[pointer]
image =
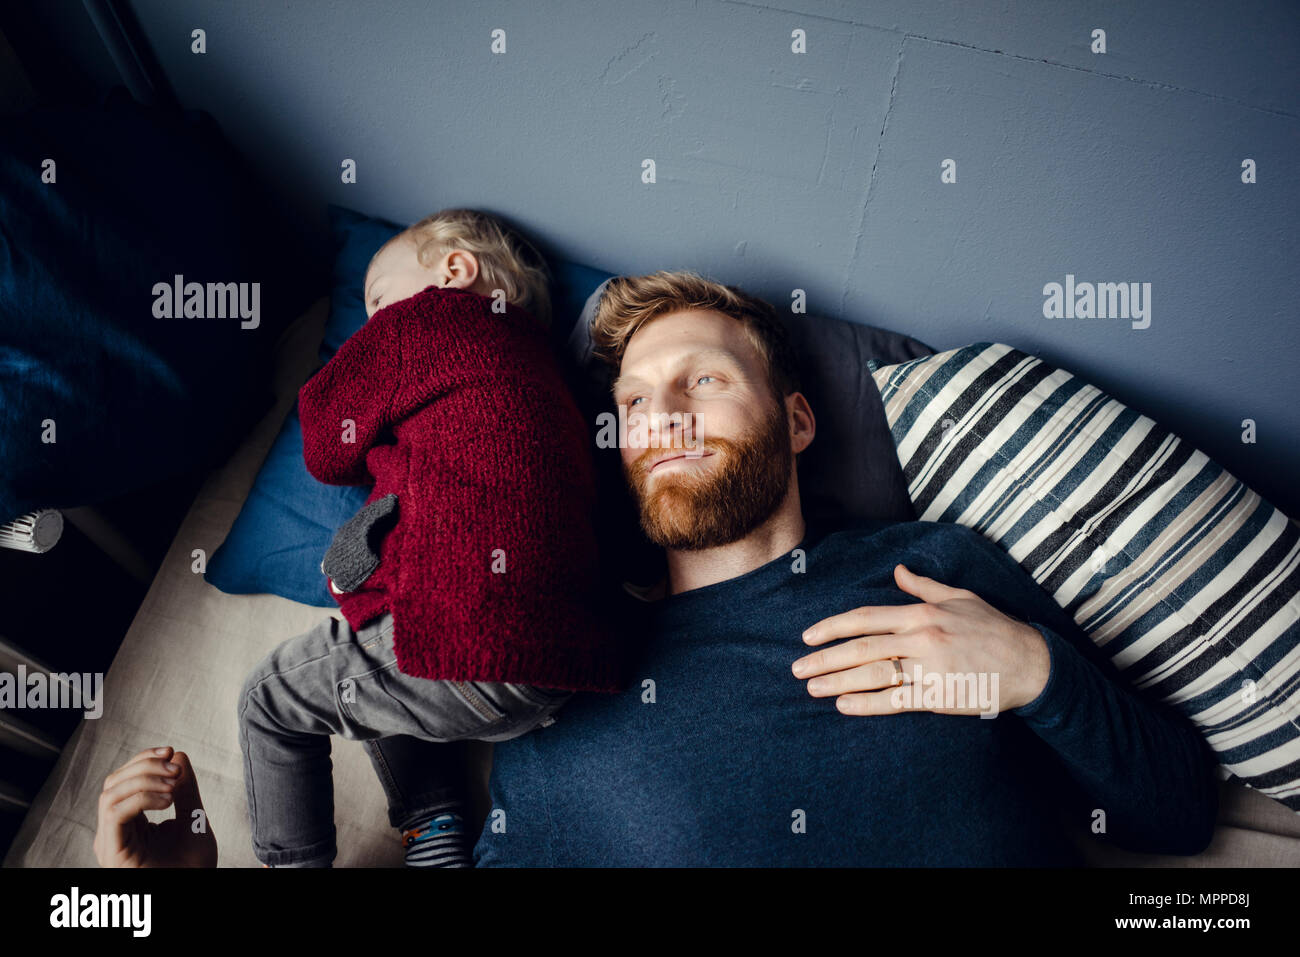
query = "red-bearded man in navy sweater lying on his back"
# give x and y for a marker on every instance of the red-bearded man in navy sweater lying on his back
(726, 750)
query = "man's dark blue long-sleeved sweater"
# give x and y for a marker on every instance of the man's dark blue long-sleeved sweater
(718, 756)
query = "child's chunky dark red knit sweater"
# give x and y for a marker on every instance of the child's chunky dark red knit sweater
(491, 573)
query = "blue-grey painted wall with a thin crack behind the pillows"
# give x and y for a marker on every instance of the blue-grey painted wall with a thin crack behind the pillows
(822, 171)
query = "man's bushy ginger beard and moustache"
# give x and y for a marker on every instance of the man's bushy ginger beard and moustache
(725, 503)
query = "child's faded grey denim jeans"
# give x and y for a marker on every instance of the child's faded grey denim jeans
(335, 681)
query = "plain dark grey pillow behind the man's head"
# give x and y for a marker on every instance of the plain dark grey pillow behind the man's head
(851, 473)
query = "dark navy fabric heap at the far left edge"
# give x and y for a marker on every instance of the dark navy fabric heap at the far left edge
(99, 395)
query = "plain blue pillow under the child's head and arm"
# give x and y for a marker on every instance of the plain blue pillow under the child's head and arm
(289, 519)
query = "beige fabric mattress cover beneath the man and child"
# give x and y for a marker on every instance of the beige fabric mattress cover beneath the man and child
(184, 660)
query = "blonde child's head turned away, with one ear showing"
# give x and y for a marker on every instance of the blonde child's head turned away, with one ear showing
(460, 249)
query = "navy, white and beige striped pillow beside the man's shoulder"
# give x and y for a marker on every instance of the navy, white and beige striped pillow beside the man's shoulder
(1188, 579)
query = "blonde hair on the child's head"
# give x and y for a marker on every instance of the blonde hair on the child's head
(506, 259)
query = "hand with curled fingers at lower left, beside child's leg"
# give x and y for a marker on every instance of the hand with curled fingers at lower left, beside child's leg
(127, 839)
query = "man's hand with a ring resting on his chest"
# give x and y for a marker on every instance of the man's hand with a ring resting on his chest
(951, 633)
